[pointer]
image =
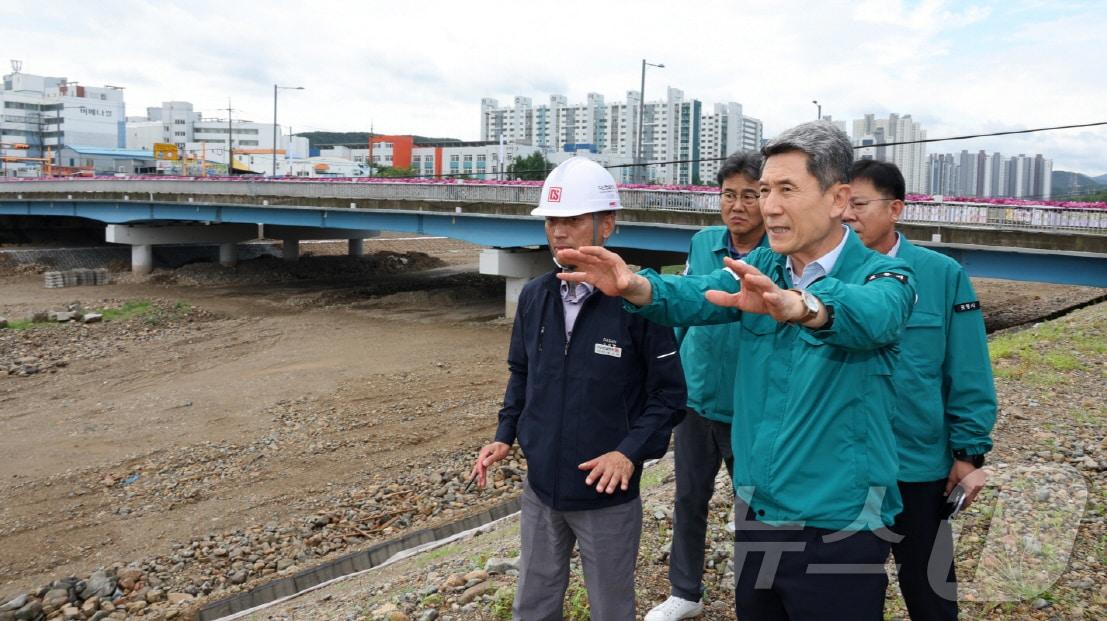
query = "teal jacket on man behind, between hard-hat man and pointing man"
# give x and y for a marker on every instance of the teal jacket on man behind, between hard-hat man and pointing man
(709, 354)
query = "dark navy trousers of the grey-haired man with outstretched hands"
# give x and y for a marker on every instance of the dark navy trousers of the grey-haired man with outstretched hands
(791, 574)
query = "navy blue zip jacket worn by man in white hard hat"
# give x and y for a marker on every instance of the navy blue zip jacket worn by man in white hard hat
(617, 386)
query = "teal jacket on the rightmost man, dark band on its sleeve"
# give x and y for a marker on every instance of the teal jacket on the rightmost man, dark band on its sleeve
(947, 397)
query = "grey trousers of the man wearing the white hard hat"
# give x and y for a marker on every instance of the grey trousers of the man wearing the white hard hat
(608, 540)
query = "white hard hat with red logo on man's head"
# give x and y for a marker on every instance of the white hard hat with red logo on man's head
(578, 187)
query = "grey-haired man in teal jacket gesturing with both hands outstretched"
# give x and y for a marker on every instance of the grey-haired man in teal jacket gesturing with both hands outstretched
(821, 316)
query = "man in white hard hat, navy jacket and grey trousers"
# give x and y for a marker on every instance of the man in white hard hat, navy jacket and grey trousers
(594, 392)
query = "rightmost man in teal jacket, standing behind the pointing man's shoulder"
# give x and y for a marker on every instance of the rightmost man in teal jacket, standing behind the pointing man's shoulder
(947, 397)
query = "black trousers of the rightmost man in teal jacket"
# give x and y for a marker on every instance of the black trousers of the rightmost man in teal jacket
(925, 555)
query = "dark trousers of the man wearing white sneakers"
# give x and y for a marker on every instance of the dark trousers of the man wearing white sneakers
(702, 446)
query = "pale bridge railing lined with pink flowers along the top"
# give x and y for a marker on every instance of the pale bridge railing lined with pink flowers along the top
(924, 213)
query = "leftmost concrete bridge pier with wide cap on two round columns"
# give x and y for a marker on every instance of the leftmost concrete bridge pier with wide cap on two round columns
(142, 240)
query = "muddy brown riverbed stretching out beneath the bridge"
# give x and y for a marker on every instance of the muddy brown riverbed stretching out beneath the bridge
(264, 397)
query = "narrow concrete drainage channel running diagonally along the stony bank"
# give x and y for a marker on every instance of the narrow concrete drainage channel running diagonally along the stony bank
(353, 564)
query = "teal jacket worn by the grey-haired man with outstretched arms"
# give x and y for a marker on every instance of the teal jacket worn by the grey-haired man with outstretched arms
(813, 413)
